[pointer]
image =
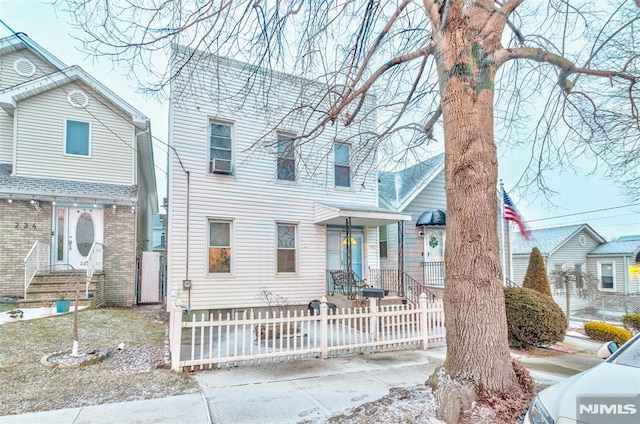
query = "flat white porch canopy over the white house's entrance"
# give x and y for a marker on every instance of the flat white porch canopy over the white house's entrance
(361, 216)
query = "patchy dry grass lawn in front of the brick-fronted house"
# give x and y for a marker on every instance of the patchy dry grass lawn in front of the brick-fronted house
(130, 374)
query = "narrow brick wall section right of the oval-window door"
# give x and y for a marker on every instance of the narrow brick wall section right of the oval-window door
(119, 257)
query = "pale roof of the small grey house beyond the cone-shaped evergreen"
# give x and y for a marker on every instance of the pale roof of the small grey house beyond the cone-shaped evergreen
(548, 240)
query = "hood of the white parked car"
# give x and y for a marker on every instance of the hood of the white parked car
(605, 379)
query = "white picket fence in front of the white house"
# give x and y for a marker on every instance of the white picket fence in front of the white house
(207, 342)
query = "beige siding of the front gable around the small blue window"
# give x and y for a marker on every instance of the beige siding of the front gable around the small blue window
(40, 143)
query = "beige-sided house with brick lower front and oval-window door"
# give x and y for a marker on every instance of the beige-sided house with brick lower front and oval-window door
(76, 175)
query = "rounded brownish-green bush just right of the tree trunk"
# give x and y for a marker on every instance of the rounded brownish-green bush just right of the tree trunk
(533, 319)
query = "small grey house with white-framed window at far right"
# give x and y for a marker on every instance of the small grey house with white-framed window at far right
(579, 247)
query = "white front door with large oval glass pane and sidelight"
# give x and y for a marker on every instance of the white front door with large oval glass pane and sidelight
(75, 231)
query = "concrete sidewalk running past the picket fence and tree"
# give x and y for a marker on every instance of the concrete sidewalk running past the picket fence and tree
(290, 392)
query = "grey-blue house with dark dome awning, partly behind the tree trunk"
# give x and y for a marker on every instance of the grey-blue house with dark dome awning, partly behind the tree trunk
(419, 191)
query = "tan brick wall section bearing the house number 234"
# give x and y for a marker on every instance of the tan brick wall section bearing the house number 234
(16, 241)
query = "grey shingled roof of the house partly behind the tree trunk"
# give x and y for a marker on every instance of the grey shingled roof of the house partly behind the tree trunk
(398, 189)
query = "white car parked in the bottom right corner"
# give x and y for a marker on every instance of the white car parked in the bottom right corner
(608, 393)
